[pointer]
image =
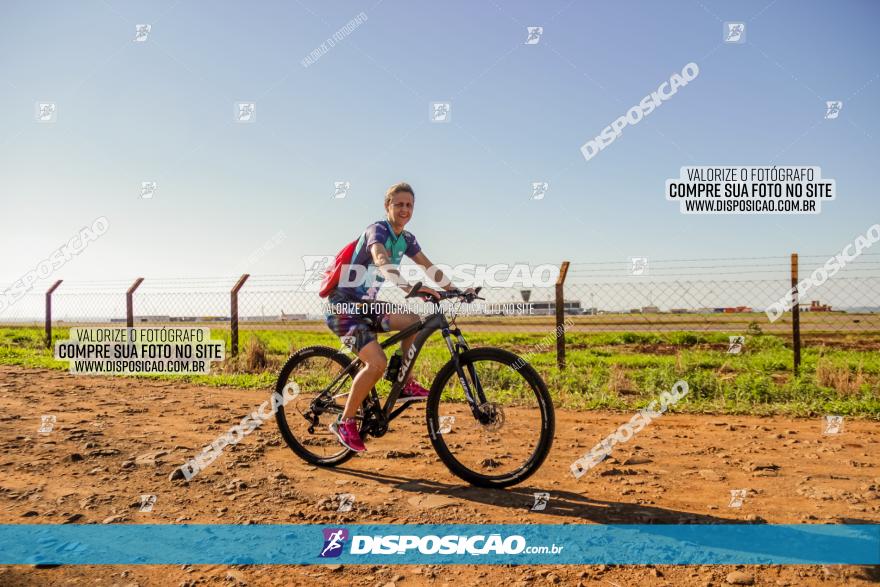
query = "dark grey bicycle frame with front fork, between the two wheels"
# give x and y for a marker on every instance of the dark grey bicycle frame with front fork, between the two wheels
(376, 416)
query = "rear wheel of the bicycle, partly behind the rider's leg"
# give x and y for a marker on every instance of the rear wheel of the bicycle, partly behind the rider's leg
(306, 432)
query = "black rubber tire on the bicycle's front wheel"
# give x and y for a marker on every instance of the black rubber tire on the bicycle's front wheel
(547, 414)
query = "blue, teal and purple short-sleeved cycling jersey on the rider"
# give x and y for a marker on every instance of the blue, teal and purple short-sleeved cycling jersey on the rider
(367, 289)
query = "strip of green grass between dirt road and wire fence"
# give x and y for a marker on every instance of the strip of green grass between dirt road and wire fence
(621, 371)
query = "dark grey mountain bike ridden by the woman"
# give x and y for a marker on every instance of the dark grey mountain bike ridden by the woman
(489, 415)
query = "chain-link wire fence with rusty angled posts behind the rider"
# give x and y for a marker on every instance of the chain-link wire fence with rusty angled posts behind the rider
(637, 295)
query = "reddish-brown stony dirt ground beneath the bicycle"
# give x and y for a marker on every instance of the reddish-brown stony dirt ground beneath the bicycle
(118, 438)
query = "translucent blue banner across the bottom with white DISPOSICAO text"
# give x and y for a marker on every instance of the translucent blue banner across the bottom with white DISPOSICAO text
(523, 544)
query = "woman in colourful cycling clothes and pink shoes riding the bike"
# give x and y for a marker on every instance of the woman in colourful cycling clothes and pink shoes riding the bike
(356, 317)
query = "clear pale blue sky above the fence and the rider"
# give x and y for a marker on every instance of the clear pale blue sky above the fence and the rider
(162, 111)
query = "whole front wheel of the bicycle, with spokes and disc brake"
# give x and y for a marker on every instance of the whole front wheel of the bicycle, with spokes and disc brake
(505, 438)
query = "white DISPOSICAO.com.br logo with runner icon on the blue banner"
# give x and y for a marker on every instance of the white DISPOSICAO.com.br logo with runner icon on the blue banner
(455, 544)
